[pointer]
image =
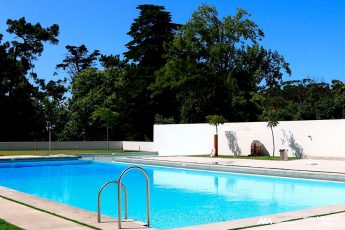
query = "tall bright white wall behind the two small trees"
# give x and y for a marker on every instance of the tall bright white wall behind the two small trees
(320, 138)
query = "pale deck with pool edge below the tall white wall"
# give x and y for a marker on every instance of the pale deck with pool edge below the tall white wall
(297, 168)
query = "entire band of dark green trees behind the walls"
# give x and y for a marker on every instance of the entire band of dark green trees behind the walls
(170, 73)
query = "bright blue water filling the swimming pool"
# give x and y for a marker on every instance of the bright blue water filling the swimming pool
(178, 197)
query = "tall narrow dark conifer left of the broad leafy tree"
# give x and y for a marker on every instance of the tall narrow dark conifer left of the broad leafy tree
(151, 33)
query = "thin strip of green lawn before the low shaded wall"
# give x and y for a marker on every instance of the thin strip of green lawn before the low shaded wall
(54, 152)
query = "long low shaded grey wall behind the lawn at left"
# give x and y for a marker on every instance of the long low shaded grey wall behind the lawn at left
(60, 145)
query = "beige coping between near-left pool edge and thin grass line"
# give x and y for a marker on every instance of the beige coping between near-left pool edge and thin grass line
(73, 214)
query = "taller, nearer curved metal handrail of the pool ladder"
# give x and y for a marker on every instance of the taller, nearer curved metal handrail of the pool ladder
(147, 194)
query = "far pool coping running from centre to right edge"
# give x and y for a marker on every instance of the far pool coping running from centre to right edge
(279, 172)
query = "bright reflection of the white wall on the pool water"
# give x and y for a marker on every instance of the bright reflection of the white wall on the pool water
(249, 187)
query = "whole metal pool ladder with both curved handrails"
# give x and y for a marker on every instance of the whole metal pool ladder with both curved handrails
(120, 187)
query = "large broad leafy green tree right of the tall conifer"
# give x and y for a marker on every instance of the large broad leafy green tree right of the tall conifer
(214, 64)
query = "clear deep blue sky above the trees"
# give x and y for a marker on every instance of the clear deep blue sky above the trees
(310, 34)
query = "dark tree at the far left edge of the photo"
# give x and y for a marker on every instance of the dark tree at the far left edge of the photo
(22, 114)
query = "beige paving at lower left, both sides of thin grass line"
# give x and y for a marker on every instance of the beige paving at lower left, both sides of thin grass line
(29, 218)
